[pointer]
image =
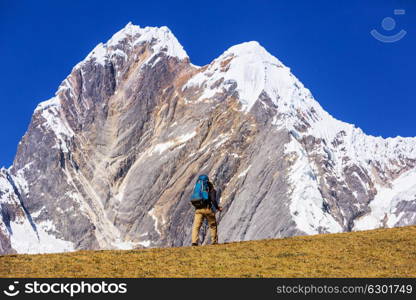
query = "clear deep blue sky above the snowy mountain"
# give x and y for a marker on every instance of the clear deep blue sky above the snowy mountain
(327, 44)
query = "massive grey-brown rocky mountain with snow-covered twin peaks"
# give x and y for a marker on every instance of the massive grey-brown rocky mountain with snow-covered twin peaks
(110, 161)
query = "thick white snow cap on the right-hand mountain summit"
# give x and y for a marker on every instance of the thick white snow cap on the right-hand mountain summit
(254, 71)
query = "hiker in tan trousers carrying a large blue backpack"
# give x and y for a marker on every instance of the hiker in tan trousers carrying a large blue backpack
(204, 200)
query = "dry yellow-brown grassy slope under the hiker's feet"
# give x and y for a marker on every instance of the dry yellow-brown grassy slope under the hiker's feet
(375, 253)
